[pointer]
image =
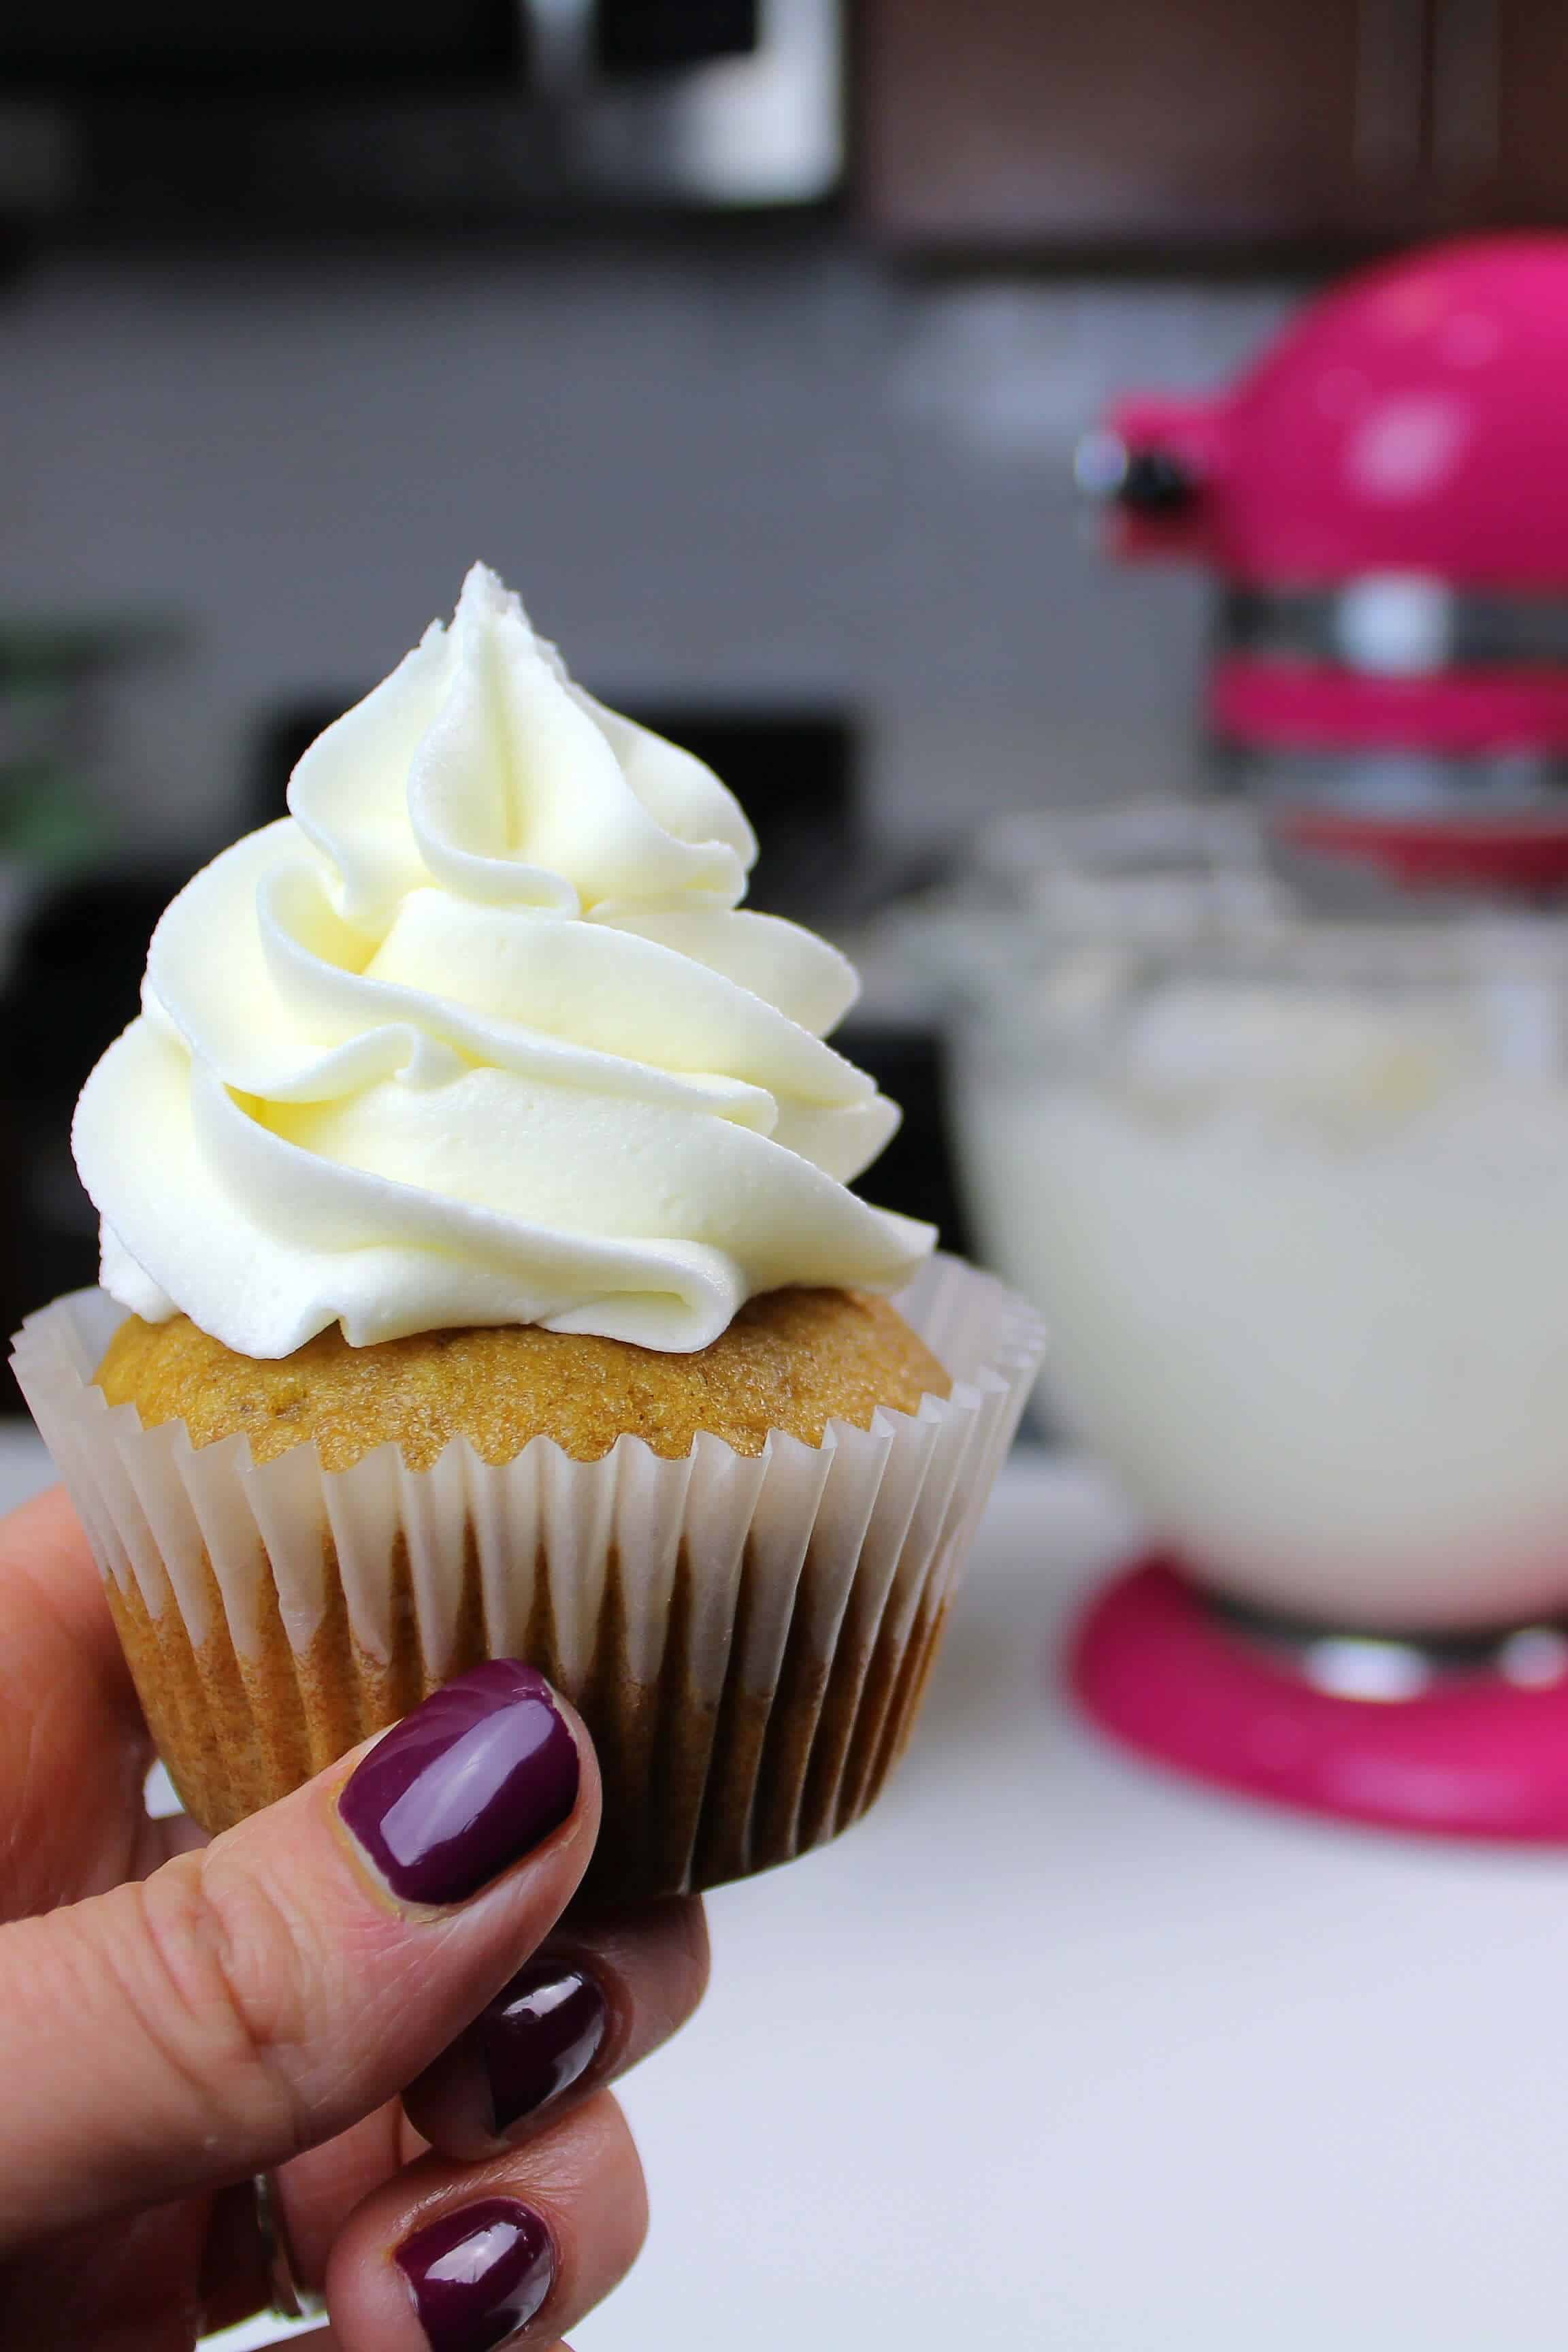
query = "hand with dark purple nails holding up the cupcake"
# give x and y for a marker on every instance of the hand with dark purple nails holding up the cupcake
(180, 2017)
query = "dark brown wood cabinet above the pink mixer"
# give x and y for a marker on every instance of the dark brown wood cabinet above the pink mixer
(1207, 123)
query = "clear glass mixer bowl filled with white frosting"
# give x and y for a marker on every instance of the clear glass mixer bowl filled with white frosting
(1306, 1269)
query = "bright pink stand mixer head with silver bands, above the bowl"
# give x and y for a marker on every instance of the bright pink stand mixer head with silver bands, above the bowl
(1383, 502)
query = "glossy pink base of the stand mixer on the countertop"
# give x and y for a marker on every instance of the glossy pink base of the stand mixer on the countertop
(1470, 1758)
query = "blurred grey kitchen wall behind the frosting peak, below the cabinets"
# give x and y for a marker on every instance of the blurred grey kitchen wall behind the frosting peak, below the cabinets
(716, 474)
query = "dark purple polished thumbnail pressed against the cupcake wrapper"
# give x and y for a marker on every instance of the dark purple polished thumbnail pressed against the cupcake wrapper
(464, 1786)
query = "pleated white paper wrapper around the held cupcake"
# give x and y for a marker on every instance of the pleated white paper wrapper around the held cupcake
(746, 1636)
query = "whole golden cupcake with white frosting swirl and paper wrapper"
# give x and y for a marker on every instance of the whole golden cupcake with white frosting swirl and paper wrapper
(483, 1278)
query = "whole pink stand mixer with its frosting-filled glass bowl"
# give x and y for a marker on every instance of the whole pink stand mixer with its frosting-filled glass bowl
(1306, 1269)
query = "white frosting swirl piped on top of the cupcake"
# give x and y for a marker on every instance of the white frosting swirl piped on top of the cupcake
(481, 1036)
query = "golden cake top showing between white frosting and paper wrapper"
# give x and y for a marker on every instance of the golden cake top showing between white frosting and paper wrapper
(791, 1361)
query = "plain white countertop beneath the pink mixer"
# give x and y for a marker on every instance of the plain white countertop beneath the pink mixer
(1054, 2052)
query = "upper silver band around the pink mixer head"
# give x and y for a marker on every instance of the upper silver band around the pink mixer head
(1395, 624)
